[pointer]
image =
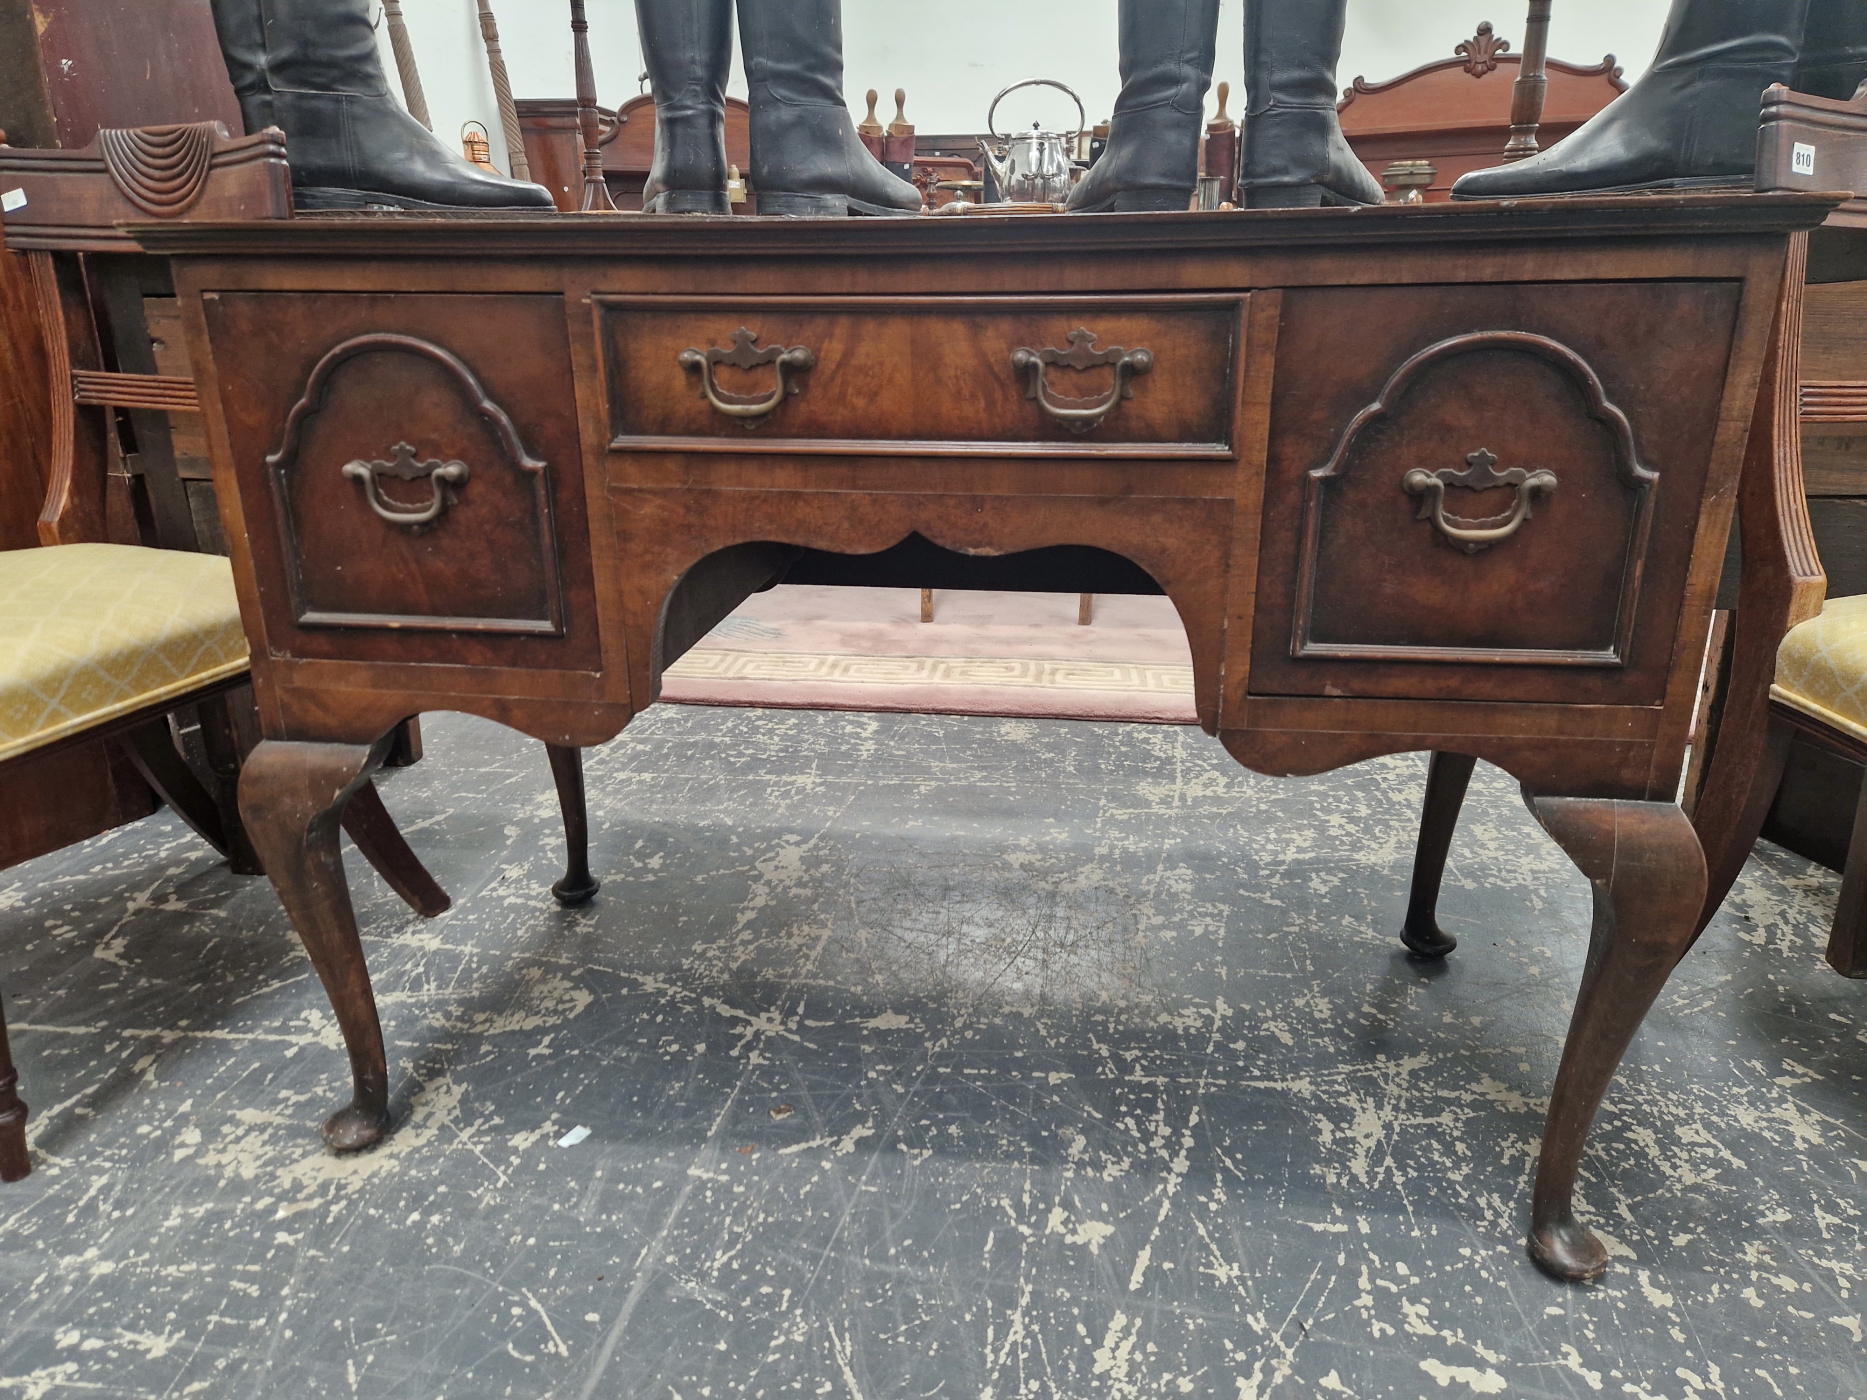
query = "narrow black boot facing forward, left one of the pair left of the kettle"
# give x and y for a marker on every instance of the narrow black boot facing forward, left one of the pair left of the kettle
(688, 53)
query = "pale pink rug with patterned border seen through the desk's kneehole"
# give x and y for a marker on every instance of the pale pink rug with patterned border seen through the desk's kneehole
(985, 654)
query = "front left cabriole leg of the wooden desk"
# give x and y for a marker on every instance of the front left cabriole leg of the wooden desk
(292, 798)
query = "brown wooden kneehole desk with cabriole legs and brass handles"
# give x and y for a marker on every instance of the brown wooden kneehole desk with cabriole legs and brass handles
(1416, 479)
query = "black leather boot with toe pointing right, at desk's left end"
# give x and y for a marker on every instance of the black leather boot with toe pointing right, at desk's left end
(311, 68)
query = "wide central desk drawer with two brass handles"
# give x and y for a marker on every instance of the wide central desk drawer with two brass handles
(1011, 376)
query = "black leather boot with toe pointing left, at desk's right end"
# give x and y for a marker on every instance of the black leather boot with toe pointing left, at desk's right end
(1689, 120)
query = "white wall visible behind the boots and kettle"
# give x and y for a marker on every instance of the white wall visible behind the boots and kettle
(955, 55)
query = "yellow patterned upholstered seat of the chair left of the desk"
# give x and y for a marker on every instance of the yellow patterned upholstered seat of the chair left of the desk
(96, 632)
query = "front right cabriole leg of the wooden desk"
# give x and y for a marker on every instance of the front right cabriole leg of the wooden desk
(1649, 880)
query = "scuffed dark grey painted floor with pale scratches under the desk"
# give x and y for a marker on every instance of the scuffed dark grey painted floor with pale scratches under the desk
(921, 1057)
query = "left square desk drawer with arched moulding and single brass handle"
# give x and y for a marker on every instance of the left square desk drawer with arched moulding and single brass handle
(410, 475)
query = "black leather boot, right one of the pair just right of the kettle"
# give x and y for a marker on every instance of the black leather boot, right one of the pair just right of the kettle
(1295, 148)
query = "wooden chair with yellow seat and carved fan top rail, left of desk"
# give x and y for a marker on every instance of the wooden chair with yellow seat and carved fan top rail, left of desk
(133, 641)
